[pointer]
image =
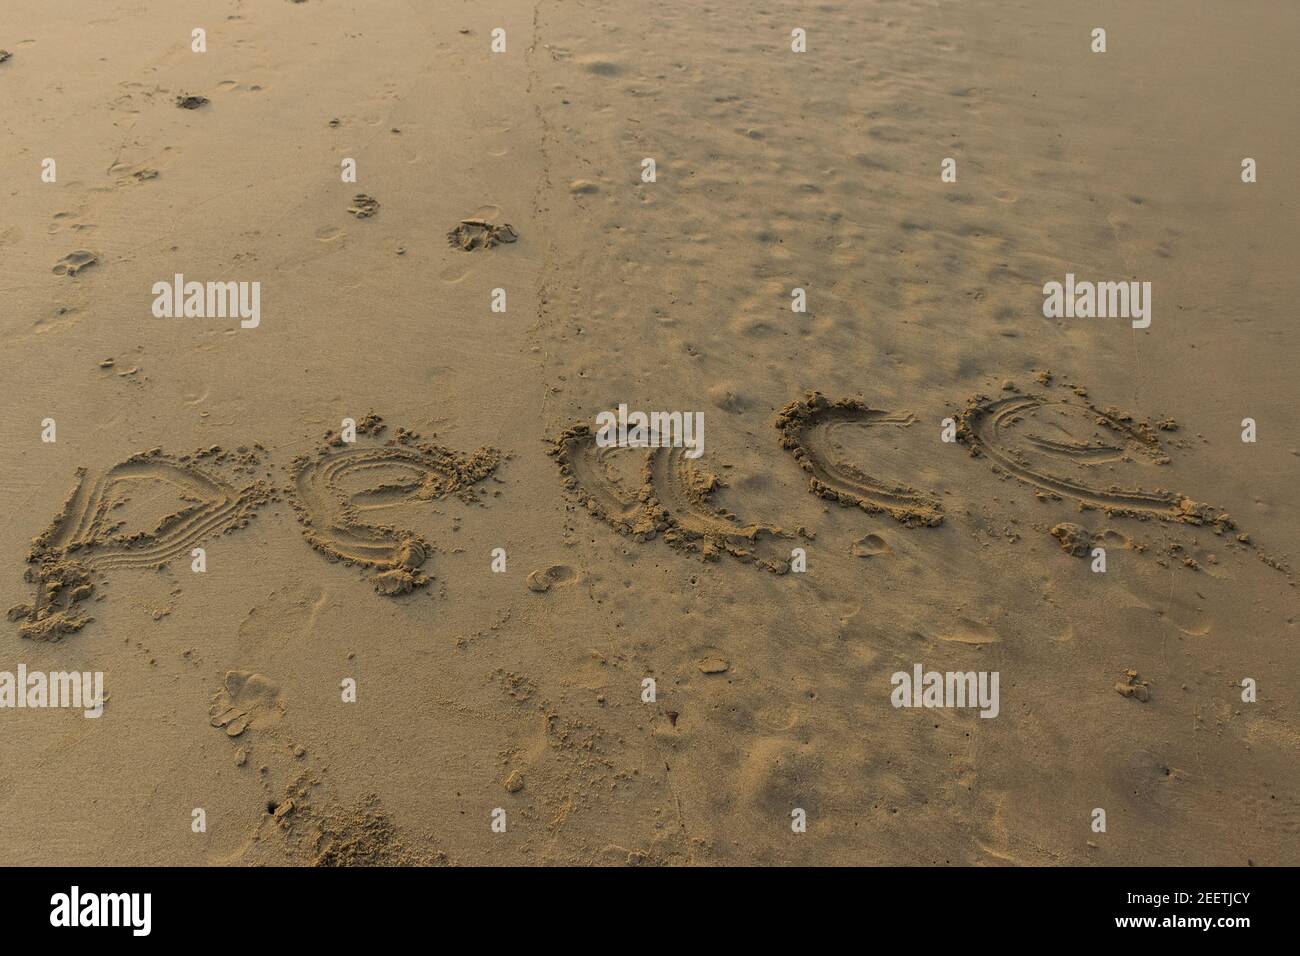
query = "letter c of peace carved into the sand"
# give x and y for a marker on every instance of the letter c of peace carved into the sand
(808, 432)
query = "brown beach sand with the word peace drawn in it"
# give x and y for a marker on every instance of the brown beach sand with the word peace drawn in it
(523, 691)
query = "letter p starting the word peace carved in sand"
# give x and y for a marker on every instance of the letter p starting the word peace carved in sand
(183, 503)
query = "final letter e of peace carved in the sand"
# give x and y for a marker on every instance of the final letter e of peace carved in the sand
(1065, 447)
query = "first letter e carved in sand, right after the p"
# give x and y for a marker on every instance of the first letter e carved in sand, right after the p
(335, 488)
